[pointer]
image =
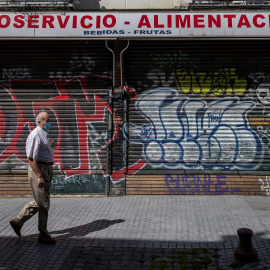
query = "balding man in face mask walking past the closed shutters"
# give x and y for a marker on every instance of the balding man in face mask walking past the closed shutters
(40, 154)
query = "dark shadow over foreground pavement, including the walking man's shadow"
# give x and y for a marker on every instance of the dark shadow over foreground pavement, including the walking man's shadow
(76, 248)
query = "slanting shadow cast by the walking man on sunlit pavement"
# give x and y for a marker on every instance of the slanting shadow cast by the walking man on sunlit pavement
(85, 229)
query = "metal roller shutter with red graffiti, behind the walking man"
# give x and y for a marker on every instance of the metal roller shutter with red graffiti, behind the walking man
(69, 80)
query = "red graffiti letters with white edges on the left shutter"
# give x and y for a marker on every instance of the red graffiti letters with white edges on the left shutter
(64, 99)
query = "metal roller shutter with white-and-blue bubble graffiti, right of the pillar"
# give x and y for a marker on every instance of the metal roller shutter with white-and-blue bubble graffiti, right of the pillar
(198, 117)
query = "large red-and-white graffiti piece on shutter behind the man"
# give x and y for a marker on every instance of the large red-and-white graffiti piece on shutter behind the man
(82, 133)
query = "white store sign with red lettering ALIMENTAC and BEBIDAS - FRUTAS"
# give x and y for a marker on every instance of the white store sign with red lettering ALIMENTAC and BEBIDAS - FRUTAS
(134, 24)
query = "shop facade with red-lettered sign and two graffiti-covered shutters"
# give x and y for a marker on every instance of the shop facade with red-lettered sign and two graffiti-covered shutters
(146, 97)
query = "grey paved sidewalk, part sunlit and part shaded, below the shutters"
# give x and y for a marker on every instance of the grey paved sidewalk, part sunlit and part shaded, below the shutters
(138, 232)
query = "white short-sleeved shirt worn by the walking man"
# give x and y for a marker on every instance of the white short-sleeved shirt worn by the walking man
(38, 146)
